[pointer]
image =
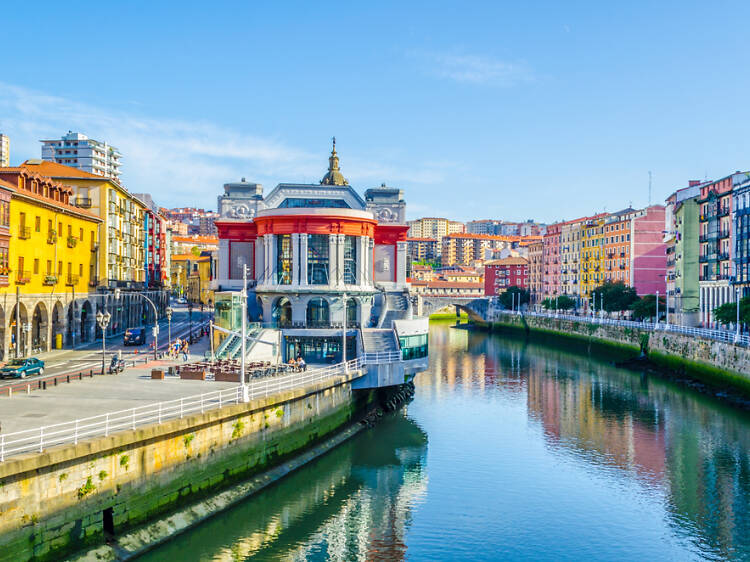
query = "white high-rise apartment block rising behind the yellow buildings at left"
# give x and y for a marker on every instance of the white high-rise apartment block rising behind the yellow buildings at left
(78, 151)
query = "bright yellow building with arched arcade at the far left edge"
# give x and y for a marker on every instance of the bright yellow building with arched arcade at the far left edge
(49, 262)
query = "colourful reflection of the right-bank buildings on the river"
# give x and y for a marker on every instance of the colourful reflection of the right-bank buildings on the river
(691, 449)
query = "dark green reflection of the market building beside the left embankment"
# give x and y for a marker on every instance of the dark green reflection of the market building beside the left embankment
(354, 503)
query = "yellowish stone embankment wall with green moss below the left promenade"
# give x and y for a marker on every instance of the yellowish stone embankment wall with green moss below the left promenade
(59, 501)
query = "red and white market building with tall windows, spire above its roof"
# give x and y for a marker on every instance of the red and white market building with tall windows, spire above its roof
(319, 258)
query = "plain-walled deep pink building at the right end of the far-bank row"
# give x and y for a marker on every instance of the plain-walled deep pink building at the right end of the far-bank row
(648, 251)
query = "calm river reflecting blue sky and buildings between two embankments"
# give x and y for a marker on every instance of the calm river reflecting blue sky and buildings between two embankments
(510, 451)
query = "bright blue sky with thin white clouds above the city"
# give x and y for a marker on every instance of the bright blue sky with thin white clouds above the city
(517, 110)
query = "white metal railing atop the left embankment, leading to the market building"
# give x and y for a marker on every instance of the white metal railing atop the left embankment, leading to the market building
(39, 439)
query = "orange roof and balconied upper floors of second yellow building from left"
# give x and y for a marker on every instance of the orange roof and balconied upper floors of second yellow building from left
(122, 260)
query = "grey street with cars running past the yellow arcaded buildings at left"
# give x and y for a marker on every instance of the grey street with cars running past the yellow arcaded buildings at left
(89, 356)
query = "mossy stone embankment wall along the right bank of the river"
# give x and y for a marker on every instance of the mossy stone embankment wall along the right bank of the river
(712, 362)
